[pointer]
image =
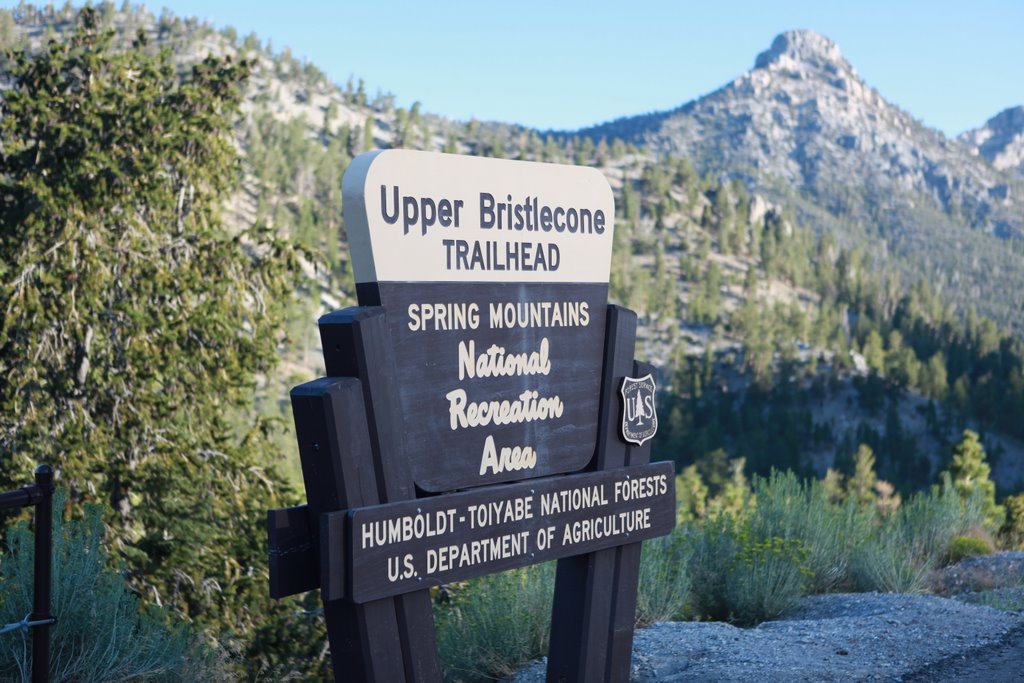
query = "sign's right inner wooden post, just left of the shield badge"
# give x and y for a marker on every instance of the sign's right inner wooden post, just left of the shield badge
(582, 614)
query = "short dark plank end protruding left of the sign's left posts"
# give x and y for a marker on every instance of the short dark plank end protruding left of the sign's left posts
(292, 552)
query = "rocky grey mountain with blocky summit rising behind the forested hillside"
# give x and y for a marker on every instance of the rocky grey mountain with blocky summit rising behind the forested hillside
(804, 129)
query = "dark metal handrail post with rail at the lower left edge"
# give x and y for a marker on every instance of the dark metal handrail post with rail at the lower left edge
(40, 619)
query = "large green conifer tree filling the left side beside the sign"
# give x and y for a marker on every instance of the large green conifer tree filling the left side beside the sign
(133, 326)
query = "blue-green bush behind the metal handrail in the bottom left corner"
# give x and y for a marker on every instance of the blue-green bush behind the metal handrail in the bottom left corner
(101, 635)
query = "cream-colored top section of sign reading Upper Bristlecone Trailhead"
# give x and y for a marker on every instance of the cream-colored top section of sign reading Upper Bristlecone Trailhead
(421, 217)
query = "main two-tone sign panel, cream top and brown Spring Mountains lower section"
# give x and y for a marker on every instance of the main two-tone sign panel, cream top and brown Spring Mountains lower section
(495, 278)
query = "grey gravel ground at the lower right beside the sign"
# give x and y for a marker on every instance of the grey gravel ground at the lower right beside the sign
(842, 637)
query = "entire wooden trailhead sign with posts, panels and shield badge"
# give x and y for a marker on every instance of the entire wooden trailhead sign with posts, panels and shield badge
(482, 412)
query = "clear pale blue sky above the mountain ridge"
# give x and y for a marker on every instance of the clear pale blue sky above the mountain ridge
(566, 65)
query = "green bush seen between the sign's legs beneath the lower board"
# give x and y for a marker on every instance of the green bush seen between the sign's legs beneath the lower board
(495, 624)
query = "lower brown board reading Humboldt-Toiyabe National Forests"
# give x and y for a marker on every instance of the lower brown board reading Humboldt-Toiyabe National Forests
(408, 546)
